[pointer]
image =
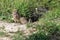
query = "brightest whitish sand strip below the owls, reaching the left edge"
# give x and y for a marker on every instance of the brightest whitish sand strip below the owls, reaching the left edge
(12, 27)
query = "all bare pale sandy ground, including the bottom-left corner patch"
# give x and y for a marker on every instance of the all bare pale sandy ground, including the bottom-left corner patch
(14, 27)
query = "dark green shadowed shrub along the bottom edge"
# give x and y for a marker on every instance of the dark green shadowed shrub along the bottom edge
(38, 36)
